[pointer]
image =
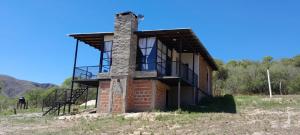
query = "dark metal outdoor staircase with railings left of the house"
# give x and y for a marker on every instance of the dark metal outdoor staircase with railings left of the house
(60, 98)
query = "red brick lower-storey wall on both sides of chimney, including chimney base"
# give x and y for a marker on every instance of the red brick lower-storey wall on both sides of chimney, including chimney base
(141, 95)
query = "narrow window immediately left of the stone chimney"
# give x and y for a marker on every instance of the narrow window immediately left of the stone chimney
(106, 62)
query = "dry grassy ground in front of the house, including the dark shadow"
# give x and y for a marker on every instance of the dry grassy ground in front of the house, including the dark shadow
(220, 115)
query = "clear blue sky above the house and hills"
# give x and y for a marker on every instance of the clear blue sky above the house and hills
(34, 44)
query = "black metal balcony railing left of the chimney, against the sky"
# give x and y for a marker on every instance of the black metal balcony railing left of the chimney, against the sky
(86, 72)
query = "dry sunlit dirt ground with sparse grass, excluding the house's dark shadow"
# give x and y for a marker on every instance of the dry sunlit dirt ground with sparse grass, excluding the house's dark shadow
(254, 116)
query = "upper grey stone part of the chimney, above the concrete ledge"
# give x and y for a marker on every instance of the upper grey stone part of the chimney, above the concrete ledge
(124, 44)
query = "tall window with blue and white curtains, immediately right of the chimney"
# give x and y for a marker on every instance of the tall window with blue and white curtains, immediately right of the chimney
(146, 54)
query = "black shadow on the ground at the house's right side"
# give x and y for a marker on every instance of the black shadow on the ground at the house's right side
(221, 104)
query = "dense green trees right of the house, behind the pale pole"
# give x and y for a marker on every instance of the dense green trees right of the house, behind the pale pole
(249, 77)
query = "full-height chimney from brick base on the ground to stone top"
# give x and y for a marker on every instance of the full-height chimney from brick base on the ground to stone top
(123, 62)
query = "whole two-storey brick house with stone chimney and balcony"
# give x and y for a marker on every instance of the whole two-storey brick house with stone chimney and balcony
(145, 70)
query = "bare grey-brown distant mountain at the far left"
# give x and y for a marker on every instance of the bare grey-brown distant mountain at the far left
(12, 87)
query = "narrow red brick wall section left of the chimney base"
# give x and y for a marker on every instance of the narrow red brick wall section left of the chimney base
(103, 96)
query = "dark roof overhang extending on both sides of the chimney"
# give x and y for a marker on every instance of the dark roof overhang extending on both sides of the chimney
(171, 37)
